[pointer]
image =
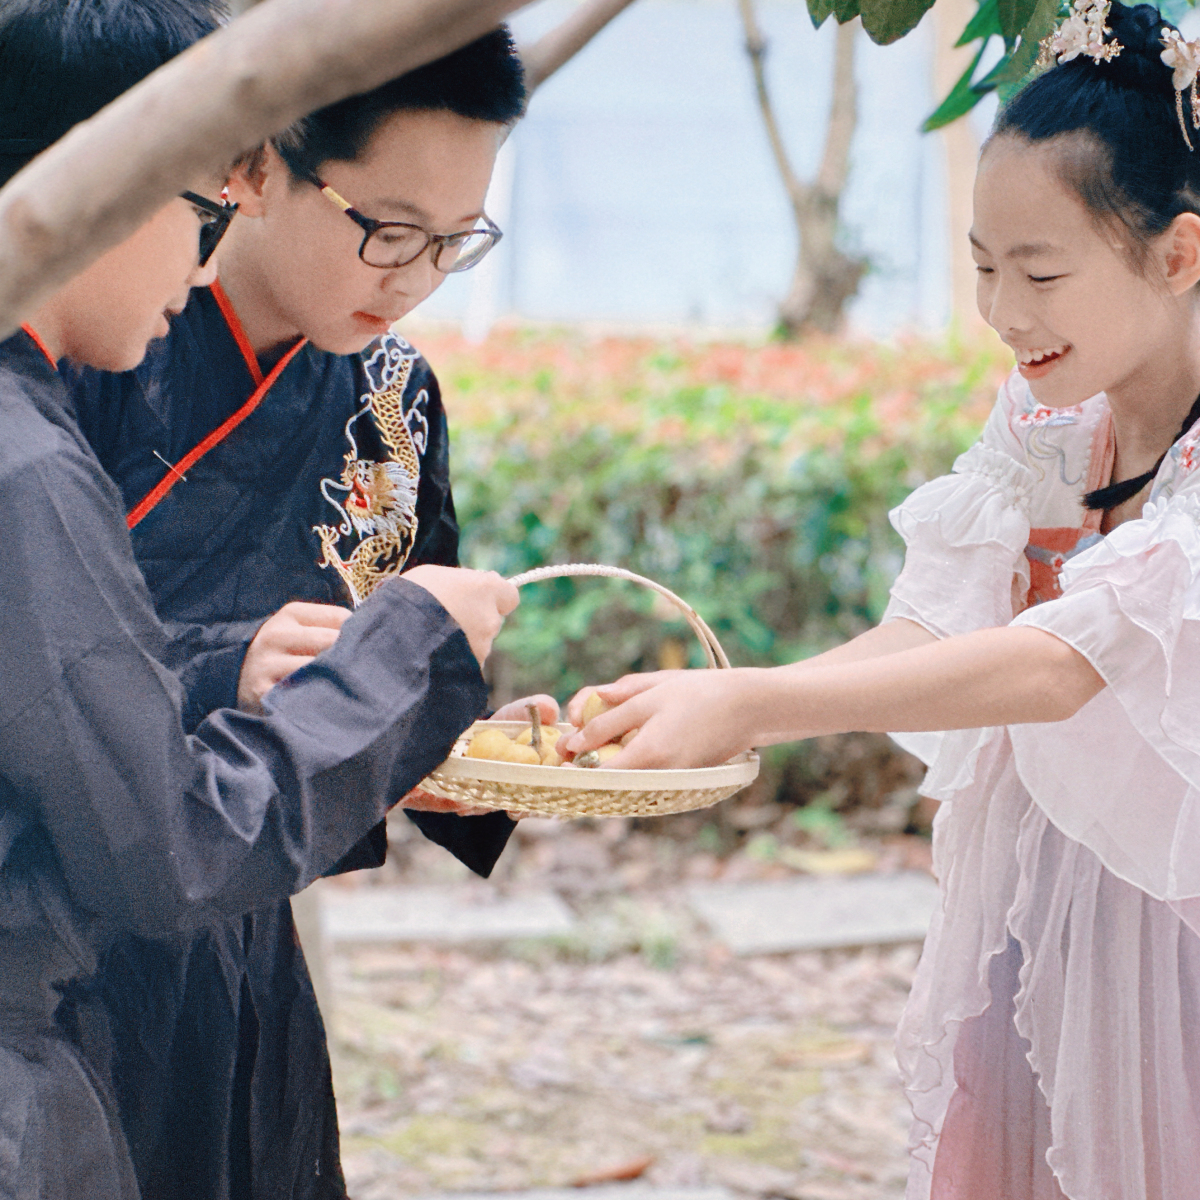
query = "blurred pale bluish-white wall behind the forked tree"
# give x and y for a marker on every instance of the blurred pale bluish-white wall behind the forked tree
(640, 189)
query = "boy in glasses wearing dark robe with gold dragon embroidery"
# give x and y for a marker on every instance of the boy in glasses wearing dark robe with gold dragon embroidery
(259, 467)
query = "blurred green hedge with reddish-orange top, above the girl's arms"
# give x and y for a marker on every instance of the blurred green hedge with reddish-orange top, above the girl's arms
(761, 502)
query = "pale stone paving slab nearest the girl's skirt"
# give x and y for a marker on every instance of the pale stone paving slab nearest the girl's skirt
(818, 914)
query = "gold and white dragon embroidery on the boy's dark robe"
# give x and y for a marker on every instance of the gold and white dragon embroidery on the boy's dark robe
(377, 501)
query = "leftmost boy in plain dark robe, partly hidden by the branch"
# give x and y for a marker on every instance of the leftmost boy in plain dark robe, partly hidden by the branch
(113, 819)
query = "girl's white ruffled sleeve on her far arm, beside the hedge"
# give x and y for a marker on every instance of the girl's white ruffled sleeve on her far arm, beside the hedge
(965, 536)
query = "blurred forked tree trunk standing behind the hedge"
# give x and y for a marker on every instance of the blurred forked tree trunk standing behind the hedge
(825, 278)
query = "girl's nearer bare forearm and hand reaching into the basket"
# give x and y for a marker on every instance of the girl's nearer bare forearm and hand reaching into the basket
(994, 677)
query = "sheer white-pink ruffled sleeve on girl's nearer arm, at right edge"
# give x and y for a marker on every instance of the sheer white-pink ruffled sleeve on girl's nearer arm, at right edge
(1123, 776)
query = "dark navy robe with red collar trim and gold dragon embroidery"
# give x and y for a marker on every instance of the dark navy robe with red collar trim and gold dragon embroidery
(220, 1055)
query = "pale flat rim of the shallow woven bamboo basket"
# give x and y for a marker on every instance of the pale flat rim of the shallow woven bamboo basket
(741, 771)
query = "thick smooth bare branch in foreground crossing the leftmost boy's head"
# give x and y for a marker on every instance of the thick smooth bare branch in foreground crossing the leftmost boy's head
(195, 116)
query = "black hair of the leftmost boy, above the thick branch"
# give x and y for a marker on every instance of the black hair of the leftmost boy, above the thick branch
(64, 61)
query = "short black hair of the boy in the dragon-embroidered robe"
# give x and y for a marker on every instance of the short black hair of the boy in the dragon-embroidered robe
(483, 82)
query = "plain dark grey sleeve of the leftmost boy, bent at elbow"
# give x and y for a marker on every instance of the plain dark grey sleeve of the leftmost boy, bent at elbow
(157, 830)
